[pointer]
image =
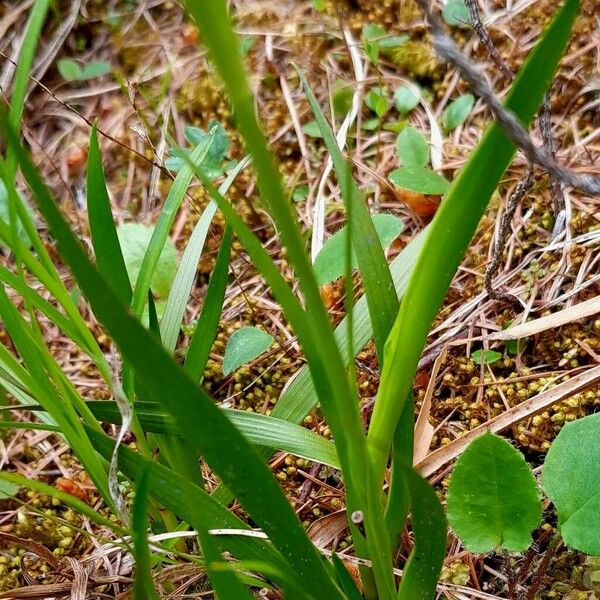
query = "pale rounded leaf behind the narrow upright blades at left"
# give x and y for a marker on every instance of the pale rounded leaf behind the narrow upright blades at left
(134, 239)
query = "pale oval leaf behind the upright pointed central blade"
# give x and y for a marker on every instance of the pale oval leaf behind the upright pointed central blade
(330, 261)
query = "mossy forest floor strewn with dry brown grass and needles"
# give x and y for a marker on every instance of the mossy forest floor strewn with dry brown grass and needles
(159, 82)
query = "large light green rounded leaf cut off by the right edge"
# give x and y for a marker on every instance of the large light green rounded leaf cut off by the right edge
(570, 478)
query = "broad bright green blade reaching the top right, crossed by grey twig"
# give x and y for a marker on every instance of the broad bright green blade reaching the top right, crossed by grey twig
(450, 233)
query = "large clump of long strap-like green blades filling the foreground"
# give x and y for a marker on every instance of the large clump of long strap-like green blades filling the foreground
(170, 412)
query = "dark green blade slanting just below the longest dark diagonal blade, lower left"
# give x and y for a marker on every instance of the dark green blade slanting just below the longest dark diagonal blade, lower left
(175, 492)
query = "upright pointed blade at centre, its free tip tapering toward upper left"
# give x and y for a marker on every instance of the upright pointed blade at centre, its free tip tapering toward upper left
(377, 280)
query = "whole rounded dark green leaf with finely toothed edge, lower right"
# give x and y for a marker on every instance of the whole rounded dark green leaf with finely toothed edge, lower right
(493, 499)
